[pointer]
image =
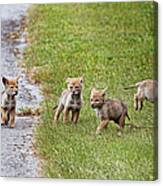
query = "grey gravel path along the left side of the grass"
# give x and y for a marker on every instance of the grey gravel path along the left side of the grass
(17, 155)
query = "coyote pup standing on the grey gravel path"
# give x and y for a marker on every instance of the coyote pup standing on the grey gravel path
(8, 101)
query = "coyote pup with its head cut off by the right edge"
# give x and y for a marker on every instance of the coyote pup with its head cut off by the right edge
(147, 89)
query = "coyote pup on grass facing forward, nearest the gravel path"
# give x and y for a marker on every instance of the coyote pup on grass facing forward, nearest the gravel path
(70, 100)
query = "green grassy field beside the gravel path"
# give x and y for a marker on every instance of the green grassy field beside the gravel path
(111, 45)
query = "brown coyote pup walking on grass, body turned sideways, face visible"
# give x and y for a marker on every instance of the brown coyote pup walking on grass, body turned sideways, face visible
(107, 109)
